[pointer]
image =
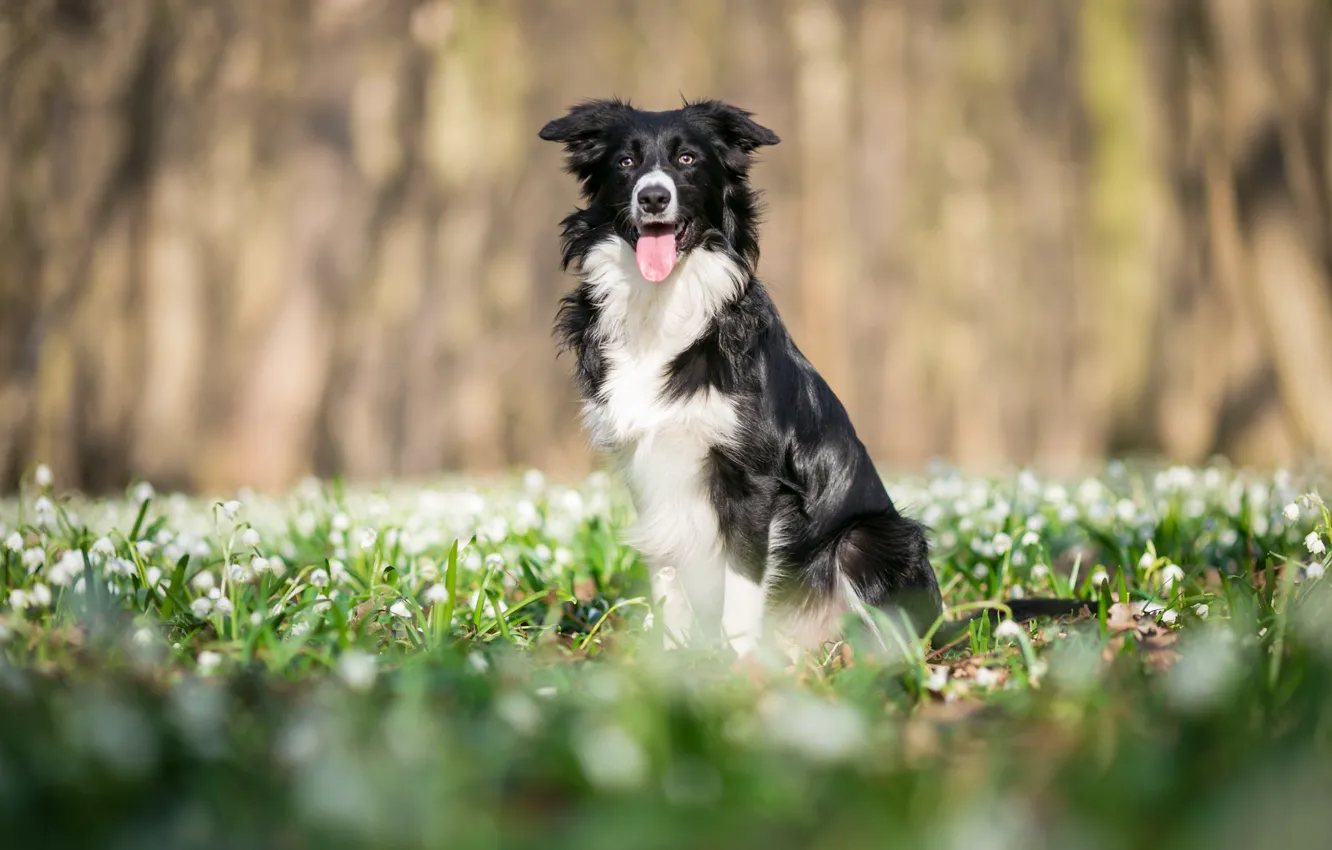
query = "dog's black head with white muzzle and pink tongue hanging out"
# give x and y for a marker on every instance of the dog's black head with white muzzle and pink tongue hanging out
(667, 183)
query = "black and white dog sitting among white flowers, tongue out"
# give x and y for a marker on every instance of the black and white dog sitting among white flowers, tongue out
(760, 511)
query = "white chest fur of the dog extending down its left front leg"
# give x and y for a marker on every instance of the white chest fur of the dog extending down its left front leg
(663, 446)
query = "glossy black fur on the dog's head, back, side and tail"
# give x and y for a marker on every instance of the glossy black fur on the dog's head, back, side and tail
(797, 464)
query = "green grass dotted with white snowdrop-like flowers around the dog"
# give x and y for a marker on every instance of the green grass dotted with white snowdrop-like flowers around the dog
(451, 667)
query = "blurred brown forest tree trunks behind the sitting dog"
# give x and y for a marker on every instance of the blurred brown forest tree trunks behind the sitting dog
(247, 240)
